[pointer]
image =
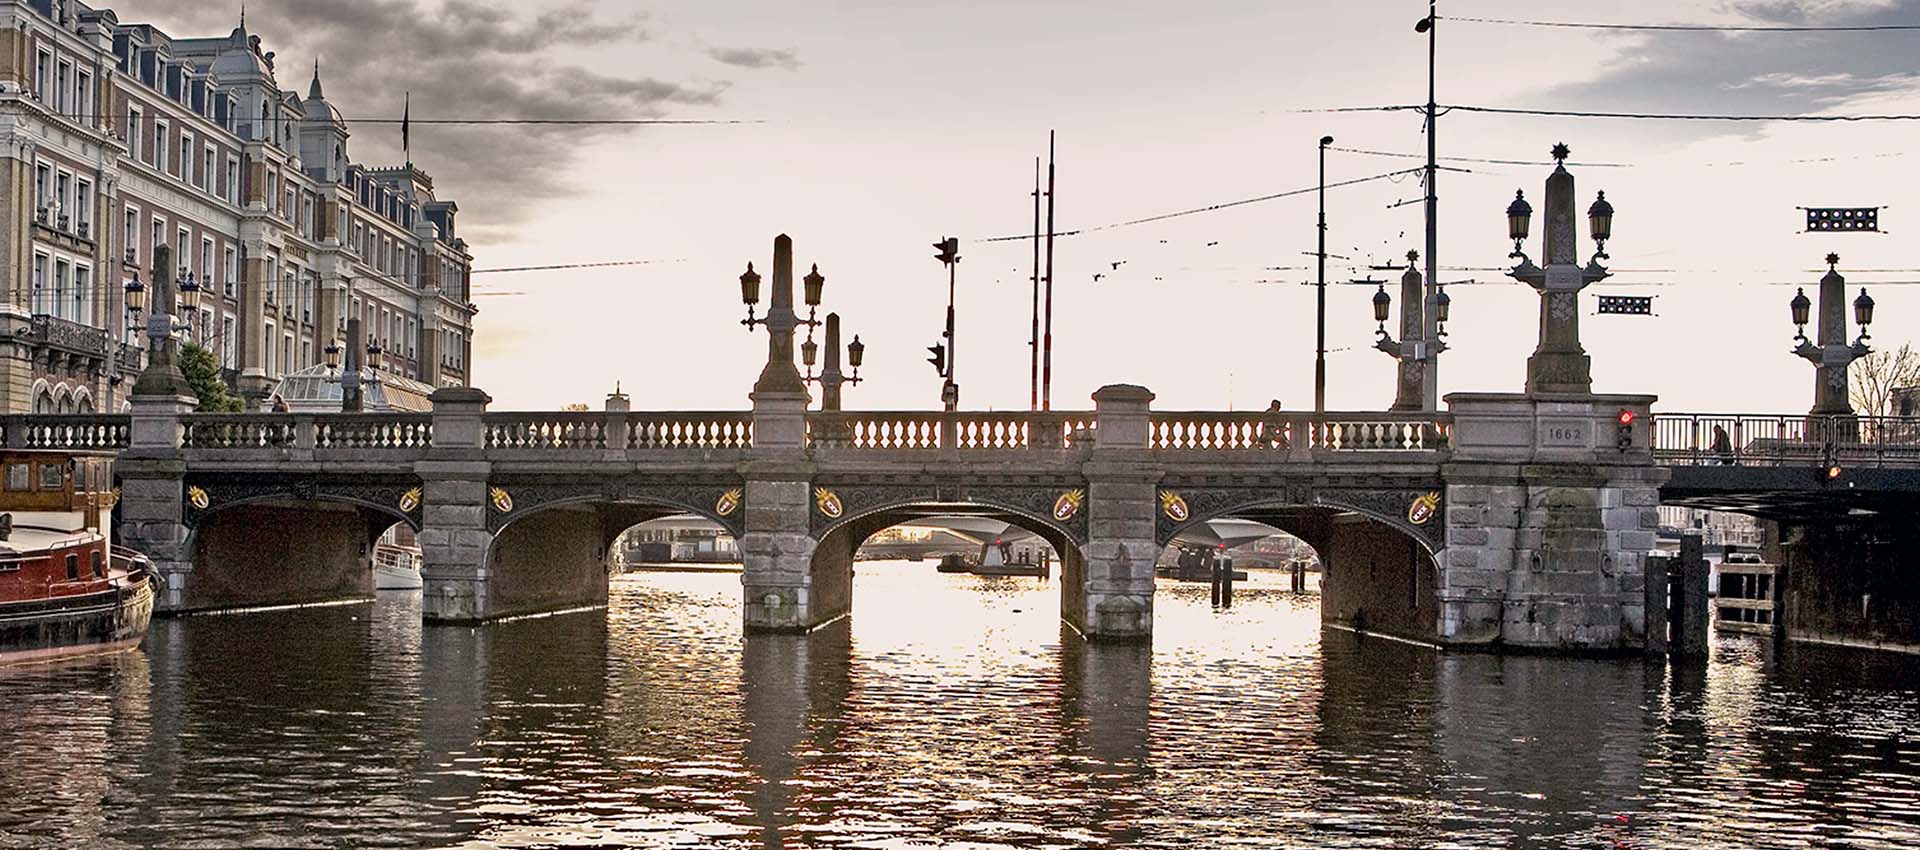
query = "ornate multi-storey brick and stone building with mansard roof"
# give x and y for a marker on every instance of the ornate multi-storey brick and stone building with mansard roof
(122, 139)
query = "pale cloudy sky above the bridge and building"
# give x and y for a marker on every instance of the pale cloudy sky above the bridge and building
(878, 128)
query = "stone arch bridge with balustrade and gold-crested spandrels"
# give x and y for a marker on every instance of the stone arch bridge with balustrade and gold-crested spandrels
(1508, 521)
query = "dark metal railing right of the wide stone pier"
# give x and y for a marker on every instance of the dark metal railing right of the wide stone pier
(1785, 440)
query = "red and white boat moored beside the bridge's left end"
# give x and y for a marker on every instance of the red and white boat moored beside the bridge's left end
(64, 588)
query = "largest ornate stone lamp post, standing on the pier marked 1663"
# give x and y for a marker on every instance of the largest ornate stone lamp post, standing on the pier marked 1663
(1560, 366)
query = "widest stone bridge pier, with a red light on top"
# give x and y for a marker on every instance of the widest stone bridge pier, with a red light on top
(1548, 523)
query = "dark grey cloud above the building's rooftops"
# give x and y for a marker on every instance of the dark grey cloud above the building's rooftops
(462, 59)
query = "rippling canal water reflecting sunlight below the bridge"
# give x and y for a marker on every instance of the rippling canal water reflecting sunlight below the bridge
(951, 711)
